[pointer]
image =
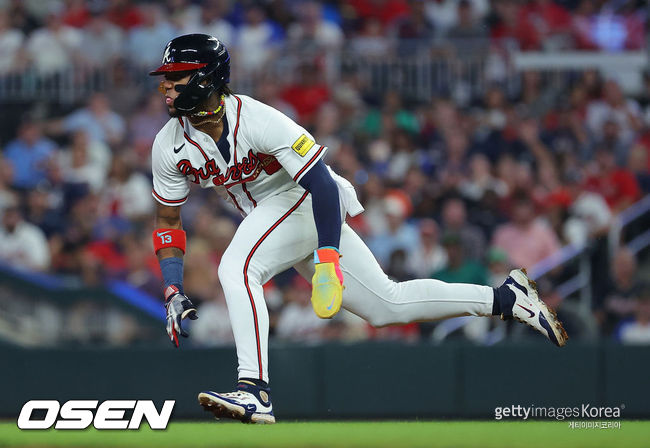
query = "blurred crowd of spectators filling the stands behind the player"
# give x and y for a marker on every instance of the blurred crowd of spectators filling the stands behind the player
(457, 192)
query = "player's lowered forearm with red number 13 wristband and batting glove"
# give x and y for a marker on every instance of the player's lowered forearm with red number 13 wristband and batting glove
(169, 244)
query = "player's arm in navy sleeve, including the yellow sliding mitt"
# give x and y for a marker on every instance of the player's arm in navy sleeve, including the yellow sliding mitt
(327, 283)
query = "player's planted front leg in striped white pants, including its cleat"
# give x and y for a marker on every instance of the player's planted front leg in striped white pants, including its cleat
(275, 236)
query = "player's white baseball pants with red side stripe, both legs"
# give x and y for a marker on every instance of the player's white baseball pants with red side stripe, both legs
(280, 233)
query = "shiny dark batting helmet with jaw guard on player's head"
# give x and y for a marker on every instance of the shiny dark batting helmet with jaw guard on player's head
(202, 54)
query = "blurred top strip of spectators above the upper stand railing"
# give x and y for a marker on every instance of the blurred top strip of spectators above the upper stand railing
(50, 35)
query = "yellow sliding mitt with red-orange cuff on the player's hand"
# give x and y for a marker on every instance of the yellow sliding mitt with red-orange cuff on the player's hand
(327, 284)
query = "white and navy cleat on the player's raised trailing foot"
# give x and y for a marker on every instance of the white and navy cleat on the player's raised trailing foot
(530, 310)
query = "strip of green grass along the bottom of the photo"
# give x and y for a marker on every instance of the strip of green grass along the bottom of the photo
(342, 434)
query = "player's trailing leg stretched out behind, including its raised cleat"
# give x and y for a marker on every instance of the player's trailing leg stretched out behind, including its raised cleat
(369, 293)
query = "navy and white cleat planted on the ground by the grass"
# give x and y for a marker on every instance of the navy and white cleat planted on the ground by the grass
(249, 404)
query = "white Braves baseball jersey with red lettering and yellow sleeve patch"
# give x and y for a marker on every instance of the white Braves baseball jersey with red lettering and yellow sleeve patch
(261, 153)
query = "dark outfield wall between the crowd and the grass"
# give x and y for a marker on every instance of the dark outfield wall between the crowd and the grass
(345, 381)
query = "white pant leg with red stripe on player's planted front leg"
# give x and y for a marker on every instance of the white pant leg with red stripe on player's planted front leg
(268, 241)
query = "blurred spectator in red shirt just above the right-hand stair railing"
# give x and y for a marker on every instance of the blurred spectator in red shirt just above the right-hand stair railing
(617, 185)
